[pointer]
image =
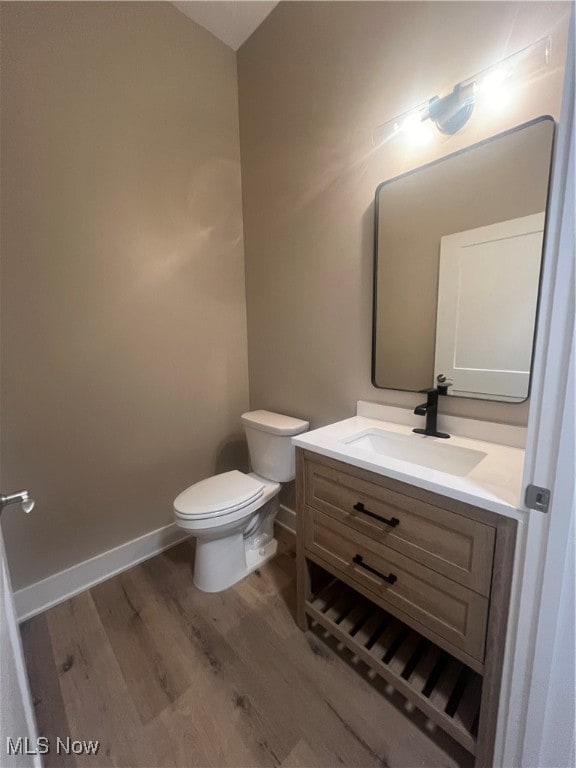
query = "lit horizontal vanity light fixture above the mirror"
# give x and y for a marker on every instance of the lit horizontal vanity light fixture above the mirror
(450, 113)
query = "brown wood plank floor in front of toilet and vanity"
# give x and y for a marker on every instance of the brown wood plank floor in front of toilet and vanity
(165, 675)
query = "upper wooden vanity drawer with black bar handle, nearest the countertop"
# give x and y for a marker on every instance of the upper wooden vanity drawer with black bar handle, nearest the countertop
(451, 544)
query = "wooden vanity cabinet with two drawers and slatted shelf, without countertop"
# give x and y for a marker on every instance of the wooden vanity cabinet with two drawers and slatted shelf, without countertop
(413, 583)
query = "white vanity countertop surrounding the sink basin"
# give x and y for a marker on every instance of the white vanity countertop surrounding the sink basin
(494, 484)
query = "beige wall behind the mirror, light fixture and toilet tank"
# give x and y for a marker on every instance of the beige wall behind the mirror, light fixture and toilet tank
(314, 81)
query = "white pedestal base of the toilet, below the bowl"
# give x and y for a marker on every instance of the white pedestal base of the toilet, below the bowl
(221, 563)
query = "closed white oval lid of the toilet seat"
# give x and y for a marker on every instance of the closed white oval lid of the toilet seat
(218, 495)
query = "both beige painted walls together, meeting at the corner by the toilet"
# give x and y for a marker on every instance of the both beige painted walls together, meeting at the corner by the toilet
(123, 310)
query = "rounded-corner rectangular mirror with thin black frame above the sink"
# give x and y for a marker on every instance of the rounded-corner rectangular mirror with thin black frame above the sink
(458, 251)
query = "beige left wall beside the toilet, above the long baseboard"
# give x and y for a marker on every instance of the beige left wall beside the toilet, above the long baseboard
(123, 307)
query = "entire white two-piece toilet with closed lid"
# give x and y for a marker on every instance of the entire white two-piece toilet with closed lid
(232, 514)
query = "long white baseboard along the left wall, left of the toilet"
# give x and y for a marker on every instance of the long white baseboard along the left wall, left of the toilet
(55, 589)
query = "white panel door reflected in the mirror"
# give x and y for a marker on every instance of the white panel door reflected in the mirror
(473, 353)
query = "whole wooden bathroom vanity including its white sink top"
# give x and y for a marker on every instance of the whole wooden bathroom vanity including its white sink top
(409, 566)
